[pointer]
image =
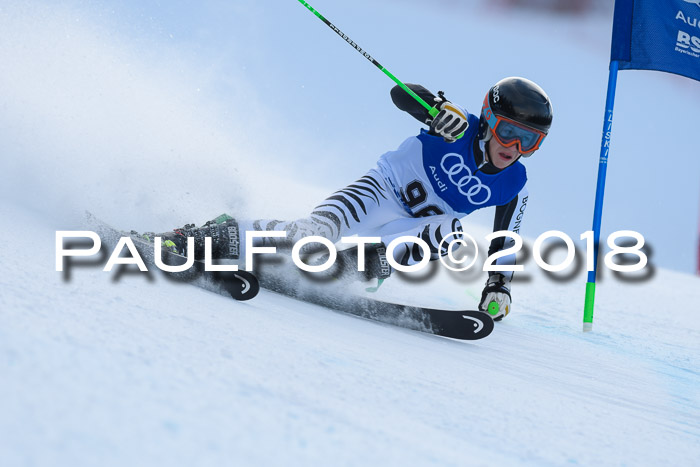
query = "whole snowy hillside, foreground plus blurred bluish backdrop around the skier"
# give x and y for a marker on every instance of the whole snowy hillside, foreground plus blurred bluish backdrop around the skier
(151, 116)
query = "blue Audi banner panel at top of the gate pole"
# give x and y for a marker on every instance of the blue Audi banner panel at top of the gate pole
(661, 35)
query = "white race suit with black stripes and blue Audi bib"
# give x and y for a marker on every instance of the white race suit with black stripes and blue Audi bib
(419, 190)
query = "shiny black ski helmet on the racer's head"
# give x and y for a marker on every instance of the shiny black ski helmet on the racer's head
(518, 99)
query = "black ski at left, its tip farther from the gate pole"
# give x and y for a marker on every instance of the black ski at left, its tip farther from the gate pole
(240, 285)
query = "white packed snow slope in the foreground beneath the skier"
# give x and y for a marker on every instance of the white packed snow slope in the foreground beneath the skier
(106, 370)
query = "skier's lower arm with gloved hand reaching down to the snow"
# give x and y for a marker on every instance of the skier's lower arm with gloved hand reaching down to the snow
(508, 217)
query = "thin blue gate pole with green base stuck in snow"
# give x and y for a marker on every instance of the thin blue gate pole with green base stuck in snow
(600, 192)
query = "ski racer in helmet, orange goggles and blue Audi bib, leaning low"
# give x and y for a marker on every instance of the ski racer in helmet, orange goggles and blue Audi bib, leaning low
(462, 163)
